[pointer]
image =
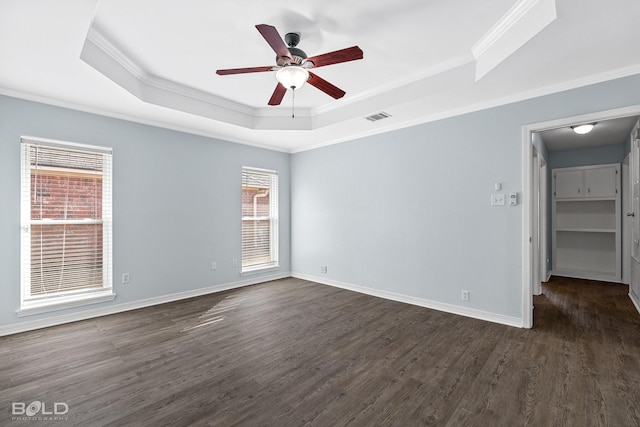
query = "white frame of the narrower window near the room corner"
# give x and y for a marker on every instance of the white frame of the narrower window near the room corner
(273, 218)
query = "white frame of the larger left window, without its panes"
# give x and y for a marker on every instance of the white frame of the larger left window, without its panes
(29, 304)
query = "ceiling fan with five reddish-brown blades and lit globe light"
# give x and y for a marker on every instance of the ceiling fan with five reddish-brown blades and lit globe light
(292, 64)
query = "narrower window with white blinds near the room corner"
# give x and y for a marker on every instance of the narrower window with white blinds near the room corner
(259, 219)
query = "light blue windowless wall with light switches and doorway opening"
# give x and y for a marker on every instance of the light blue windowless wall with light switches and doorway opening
(408, 212)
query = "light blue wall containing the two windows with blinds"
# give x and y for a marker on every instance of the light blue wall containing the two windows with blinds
(176, 202)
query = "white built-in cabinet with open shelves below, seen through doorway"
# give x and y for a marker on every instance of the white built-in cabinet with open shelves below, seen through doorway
(586, 222)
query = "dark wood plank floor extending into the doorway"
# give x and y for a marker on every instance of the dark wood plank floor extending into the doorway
(292, 353)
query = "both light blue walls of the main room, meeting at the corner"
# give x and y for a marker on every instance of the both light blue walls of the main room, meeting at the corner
(405, 212)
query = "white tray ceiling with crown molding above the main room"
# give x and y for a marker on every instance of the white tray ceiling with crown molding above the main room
(154, 61)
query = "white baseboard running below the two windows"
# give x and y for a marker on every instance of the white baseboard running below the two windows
(119, 308)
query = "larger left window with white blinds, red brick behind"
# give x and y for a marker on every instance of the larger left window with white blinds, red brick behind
(66, 225)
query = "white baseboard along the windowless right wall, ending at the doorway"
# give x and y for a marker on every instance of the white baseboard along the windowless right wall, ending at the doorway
(435, 305)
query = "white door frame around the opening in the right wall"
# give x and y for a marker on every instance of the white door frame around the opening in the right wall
(527, 193)
